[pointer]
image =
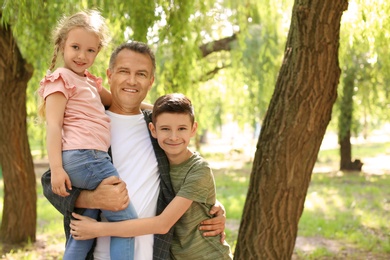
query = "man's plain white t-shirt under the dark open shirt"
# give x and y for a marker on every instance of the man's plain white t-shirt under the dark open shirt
(134, 158)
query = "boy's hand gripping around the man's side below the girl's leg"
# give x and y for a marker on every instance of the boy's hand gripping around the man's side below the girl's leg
(83, 228)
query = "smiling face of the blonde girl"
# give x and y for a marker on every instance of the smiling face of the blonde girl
(80, 50)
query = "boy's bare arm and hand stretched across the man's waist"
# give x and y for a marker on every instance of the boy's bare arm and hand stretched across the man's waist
(87, 228)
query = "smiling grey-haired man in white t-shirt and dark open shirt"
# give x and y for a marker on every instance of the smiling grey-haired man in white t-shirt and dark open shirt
(137, 156)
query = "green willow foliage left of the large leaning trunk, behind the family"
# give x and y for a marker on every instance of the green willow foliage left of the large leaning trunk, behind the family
(175, 30)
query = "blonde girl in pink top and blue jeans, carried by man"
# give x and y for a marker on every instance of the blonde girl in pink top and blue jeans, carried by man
(78, 134)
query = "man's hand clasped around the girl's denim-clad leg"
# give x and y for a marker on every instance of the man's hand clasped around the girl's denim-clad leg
(111, 194)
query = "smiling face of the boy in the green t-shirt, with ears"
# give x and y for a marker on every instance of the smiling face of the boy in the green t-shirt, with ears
(173, 132)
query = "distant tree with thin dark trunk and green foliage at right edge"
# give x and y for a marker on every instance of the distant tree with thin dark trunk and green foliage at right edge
(364, 89)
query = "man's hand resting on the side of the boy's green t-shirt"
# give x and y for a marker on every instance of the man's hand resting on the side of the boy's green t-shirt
(215, 226)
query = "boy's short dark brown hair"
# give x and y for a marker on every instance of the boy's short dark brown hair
(175, 103)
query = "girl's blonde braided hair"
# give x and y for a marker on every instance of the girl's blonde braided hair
(91, 20)
